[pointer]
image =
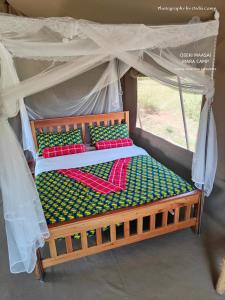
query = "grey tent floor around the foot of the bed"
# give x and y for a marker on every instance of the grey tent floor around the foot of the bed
(174, 266)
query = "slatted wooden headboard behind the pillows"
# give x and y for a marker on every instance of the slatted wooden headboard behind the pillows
(82, 122)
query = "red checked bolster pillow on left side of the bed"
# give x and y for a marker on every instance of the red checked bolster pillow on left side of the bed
(63, 150)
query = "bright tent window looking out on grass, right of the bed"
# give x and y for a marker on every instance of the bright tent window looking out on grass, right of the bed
(161, 112)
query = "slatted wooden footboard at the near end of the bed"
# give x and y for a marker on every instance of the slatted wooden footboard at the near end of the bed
(137, 223)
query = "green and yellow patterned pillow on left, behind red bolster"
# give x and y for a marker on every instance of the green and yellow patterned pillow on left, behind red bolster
(50, 139)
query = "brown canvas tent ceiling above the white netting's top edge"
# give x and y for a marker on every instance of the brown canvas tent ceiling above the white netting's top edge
(107, 11)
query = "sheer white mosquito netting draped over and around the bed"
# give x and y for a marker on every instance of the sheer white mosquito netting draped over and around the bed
(46, 61)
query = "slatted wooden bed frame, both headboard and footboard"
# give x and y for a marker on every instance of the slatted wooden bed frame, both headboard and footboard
(185, 209)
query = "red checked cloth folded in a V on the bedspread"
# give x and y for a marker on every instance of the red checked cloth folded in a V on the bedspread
(115, 183)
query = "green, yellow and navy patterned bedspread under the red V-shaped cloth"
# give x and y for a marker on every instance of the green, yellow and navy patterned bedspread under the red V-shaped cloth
(65, 199)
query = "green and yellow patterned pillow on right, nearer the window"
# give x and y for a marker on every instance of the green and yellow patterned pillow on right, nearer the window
(105, 133)
